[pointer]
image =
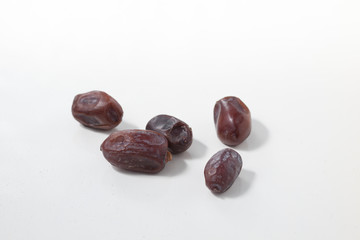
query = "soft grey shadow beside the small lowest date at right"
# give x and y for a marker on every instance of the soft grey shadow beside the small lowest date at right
(241, 185)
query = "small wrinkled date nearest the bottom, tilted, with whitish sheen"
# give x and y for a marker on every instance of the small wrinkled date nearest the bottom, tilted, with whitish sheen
(222, 170)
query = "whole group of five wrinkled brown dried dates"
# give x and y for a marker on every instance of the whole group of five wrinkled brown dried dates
(149, 150)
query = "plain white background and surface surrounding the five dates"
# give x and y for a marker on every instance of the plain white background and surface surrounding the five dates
(294, 63)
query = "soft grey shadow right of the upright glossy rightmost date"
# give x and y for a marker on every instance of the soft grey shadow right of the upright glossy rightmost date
(258, 137)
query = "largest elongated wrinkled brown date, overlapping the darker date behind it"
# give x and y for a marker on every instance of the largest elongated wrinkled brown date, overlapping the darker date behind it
(137, 150)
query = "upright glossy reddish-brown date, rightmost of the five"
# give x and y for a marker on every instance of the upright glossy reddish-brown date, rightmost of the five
(232, 120)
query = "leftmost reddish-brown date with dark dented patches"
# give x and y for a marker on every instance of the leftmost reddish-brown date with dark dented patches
(97, 109)
